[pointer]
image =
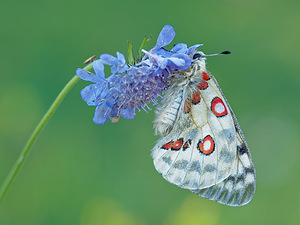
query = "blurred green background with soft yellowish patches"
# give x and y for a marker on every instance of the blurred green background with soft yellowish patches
(82, 174)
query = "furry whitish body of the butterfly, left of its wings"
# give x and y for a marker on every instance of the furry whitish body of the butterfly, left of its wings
(182, 85)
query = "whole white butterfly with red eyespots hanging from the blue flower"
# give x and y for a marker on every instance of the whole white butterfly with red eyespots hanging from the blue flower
(202, 147)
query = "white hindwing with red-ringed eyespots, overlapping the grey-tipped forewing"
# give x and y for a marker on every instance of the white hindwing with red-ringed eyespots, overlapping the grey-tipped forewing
(210, 151)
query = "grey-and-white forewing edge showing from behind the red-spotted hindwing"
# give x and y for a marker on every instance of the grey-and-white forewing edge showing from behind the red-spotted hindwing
(239, 188)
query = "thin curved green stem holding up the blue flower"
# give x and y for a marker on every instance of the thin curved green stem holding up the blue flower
(20, 161)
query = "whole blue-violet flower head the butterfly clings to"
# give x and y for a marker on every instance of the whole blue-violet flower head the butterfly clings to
(130, 88)
